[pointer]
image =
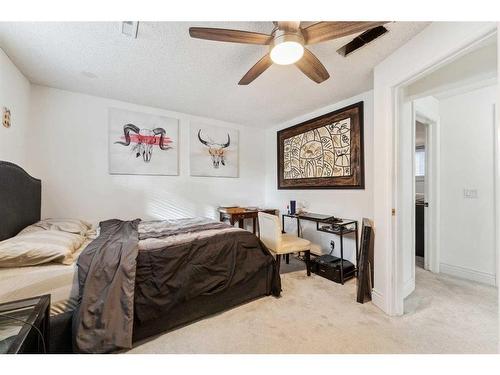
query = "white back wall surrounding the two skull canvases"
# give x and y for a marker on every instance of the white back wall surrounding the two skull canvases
(69, 150)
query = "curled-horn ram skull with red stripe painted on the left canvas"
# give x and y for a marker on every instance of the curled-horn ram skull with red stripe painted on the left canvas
(144, 140)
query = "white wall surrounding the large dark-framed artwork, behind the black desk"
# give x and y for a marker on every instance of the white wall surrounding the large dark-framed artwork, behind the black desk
(354, 204)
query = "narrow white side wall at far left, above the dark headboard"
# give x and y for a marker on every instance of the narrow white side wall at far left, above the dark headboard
(15, 95)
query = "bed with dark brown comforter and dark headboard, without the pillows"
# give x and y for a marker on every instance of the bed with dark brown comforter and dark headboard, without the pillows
(136, 279)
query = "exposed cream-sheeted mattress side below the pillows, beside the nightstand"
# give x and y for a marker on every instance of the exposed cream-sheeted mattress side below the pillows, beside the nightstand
(58, 280)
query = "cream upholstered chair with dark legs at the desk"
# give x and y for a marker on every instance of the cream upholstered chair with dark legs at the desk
(282, 243)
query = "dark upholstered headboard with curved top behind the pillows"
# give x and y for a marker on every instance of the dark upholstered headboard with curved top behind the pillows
(20, 199)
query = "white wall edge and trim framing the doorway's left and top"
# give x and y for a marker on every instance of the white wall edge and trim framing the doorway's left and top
(436, 45)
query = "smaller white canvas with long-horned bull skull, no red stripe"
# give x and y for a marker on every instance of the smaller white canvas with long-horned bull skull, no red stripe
(213, 151)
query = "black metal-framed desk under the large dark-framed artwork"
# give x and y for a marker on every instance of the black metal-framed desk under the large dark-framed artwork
(339, 227)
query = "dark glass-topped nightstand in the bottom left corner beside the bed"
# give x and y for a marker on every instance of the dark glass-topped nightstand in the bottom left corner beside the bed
(18, 319)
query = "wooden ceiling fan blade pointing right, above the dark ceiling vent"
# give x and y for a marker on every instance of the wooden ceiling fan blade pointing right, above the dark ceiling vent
(323, 31)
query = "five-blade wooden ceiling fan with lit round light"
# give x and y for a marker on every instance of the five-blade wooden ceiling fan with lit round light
(287, 43)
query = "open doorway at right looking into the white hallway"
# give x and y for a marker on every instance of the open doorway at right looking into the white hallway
(447, 217)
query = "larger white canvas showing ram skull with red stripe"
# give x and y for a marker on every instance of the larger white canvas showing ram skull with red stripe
(142, 143)
